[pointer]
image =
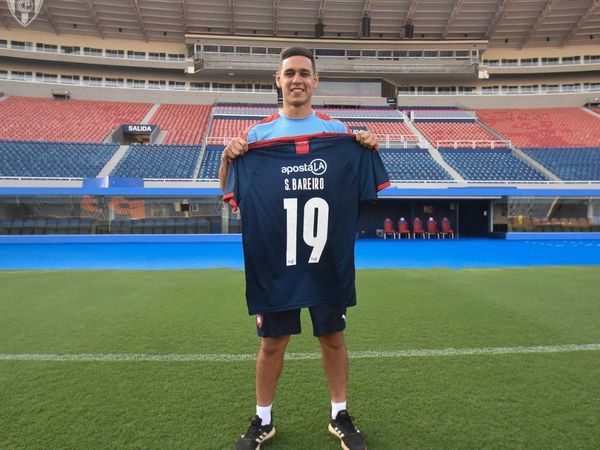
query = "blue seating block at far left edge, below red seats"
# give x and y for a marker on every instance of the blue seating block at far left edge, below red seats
(51, 159)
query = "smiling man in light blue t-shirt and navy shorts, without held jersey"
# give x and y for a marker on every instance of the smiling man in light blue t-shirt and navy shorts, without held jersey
(297, 78)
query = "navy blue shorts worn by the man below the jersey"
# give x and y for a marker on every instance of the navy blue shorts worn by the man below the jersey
(326, 317)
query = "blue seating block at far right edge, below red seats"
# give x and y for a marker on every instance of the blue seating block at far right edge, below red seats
(569, 163)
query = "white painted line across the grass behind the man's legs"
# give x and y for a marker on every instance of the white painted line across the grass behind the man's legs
(224, 357)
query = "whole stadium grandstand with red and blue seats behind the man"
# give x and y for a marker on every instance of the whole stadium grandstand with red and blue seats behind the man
(114, 127)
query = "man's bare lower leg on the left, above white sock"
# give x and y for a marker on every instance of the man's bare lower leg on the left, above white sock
(268, 368)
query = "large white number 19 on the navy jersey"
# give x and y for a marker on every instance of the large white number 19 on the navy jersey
(315, 209)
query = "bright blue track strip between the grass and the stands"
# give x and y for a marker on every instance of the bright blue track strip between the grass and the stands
(370, 254)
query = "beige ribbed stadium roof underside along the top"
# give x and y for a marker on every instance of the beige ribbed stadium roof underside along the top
(505, 23)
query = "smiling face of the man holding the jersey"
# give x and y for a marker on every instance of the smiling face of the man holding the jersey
(296, 80)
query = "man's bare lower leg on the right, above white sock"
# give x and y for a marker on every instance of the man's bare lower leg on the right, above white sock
(335, 364)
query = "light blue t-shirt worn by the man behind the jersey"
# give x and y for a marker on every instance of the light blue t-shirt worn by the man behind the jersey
(278, 126)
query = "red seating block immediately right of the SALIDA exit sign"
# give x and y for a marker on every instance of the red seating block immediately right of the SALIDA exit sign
(185, 124)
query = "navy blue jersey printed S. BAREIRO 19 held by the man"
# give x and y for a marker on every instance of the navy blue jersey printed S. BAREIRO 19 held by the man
(299, 200)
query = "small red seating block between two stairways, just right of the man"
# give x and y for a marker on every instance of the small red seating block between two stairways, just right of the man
(455, 131)
